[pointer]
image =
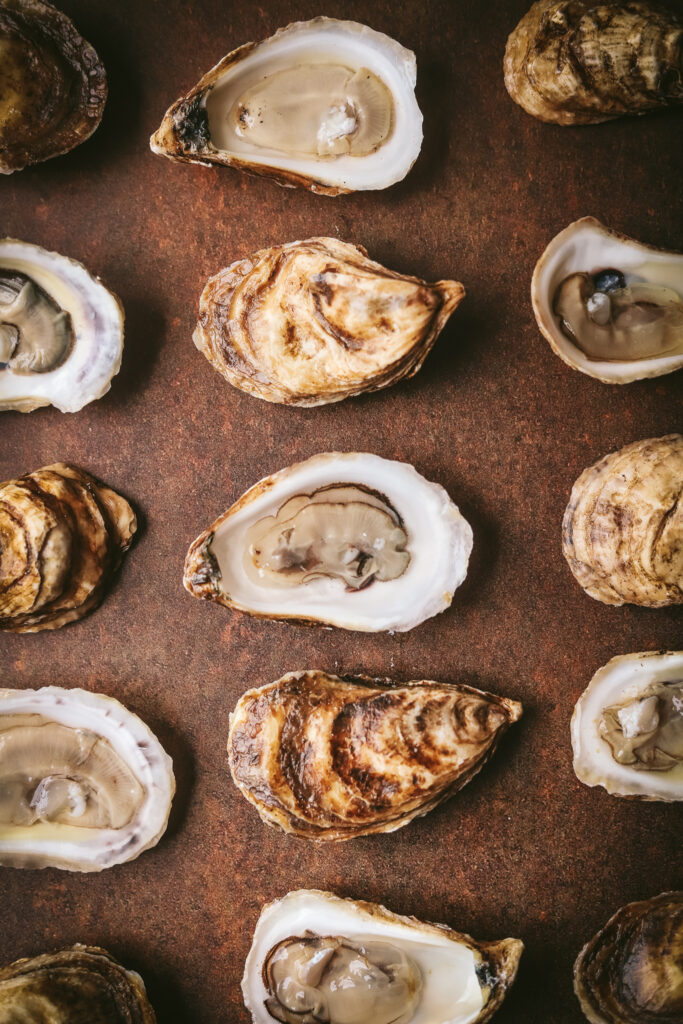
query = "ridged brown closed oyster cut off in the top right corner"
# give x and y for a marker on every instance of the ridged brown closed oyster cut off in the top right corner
(577, 63)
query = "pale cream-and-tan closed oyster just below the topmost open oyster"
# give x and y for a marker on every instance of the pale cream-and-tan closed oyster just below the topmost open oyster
(315, 322)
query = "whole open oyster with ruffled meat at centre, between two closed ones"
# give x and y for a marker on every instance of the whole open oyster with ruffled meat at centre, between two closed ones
(343, 539)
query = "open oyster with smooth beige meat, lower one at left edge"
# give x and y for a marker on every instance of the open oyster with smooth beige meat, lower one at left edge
(86, 784)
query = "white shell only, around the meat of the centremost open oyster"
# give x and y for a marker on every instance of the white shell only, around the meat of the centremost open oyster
(437, 538)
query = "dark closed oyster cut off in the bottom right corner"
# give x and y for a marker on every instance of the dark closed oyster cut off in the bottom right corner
(630, 972)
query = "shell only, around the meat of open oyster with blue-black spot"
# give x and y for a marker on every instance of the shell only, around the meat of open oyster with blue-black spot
(587, 246)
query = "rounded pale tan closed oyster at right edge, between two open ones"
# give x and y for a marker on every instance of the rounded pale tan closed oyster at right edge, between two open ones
(623, 529)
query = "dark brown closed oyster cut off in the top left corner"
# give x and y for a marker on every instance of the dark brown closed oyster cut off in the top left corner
(53, 87)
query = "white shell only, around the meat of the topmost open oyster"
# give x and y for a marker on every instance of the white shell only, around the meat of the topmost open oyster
(193, 129)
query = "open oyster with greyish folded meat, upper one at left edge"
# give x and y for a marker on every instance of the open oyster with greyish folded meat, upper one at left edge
(61, 331)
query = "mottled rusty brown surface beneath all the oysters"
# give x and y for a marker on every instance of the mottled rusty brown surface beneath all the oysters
(495, 417)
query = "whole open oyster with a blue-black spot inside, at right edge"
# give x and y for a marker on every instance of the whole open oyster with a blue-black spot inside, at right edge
(611, 307)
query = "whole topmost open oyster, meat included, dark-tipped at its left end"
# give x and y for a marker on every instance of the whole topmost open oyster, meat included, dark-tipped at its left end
(326, 105)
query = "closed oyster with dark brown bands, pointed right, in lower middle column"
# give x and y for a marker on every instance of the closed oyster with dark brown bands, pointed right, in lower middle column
(326, 758)
